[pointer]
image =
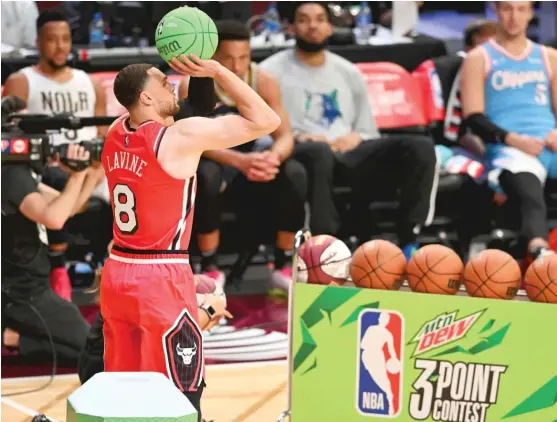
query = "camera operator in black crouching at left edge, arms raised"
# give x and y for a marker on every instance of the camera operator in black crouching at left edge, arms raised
(34, 318)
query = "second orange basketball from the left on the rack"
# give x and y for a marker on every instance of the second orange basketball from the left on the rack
(435, 269)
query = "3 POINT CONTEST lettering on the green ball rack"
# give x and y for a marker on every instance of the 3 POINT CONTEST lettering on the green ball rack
(462, 392)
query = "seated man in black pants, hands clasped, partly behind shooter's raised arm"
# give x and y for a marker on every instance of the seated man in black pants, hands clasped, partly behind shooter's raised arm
(261, 177)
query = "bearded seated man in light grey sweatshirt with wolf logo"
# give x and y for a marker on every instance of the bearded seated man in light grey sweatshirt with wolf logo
(326, 98)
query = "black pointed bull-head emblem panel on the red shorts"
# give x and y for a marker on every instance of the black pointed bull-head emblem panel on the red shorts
(183, 350)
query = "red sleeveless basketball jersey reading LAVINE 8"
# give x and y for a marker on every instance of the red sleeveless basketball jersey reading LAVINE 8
(152, 210)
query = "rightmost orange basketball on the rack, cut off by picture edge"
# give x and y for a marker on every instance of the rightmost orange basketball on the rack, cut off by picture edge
(540, 280)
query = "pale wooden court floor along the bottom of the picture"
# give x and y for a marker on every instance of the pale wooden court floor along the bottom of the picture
(247, 392)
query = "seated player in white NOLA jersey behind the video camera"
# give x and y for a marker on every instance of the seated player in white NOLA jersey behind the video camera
(53, 87)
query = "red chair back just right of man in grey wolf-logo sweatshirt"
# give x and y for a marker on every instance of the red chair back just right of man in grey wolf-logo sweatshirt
(396, 100)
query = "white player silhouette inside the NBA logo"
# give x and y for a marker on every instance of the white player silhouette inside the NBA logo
(373, 357)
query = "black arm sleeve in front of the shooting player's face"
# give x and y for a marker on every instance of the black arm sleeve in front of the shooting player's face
(201, 99)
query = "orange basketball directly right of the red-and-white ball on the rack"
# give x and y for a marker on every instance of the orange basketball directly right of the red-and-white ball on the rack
(378, 264)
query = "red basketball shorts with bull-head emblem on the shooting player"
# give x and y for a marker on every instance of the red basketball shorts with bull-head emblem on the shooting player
(149, 308)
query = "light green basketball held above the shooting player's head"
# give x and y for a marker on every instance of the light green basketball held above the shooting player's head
(186, 30)
